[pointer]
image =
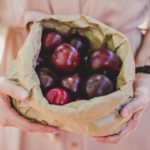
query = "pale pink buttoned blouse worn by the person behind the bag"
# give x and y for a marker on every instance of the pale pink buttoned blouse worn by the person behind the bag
(123, 15)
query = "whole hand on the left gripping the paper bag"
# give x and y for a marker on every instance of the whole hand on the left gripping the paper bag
(9, 117)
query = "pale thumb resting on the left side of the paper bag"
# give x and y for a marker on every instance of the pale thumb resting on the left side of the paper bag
(8, 88)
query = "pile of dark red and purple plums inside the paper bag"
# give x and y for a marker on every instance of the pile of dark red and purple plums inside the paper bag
(68, 71)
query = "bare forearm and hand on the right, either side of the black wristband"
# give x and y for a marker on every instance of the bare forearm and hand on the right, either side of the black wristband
(141, 96)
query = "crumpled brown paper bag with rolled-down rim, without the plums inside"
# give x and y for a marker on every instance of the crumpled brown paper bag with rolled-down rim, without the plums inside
(96, 117)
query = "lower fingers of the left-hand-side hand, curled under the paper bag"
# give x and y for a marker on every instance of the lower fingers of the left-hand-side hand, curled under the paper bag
(26, 125)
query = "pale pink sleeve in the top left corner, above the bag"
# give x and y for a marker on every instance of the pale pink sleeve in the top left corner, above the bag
(17, 13)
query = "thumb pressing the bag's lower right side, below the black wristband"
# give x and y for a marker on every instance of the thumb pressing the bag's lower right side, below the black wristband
(133, 106)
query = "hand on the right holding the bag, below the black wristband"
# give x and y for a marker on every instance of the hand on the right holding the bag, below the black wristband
(135, 108)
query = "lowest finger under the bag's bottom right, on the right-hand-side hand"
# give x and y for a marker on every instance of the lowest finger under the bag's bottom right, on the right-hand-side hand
(118, 137)
